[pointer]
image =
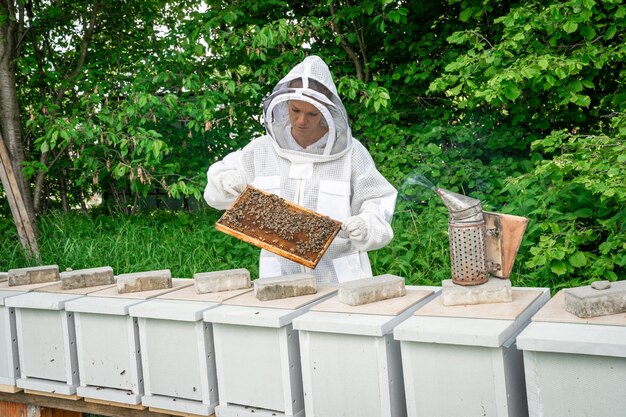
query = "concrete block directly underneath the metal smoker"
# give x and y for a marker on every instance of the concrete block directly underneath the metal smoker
(493, 291)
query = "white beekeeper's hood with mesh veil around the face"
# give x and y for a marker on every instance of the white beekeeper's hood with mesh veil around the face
(309, 81)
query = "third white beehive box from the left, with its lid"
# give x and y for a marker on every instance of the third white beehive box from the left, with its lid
(109, 356)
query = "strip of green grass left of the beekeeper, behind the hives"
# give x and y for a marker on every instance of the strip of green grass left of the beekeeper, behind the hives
(182, 242)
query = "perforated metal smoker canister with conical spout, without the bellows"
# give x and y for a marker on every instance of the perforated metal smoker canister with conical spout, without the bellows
(466, 230)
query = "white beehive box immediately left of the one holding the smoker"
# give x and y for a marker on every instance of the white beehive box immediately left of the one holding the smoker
(351, 364)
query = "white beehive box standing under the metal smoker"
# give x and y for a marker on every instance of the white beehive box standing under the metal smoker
(462, 360)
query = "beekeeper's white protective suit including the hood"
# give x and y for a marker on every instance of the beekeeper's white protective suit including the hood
(335, 176)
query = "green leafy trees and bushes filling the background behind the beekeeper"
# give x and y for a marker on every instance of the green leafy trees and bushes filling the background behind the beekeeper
(519, 104)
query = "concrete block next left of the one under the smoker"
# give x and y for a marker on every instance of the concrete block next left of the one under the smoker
(369, 290)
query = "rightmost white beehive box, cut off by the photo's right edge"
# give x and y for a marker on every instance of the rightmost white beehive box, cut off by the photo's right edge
(574, 367)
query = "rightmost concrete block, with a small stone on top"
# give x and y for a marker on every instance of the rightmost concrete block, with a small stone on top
(601, 298)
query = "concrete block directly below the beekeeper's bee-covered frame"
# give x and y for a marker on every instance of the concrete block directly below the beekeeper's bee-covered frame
(275, 288)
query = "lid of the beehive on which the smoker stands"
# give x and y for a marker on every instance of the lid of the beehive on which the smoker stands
(488, 325)
